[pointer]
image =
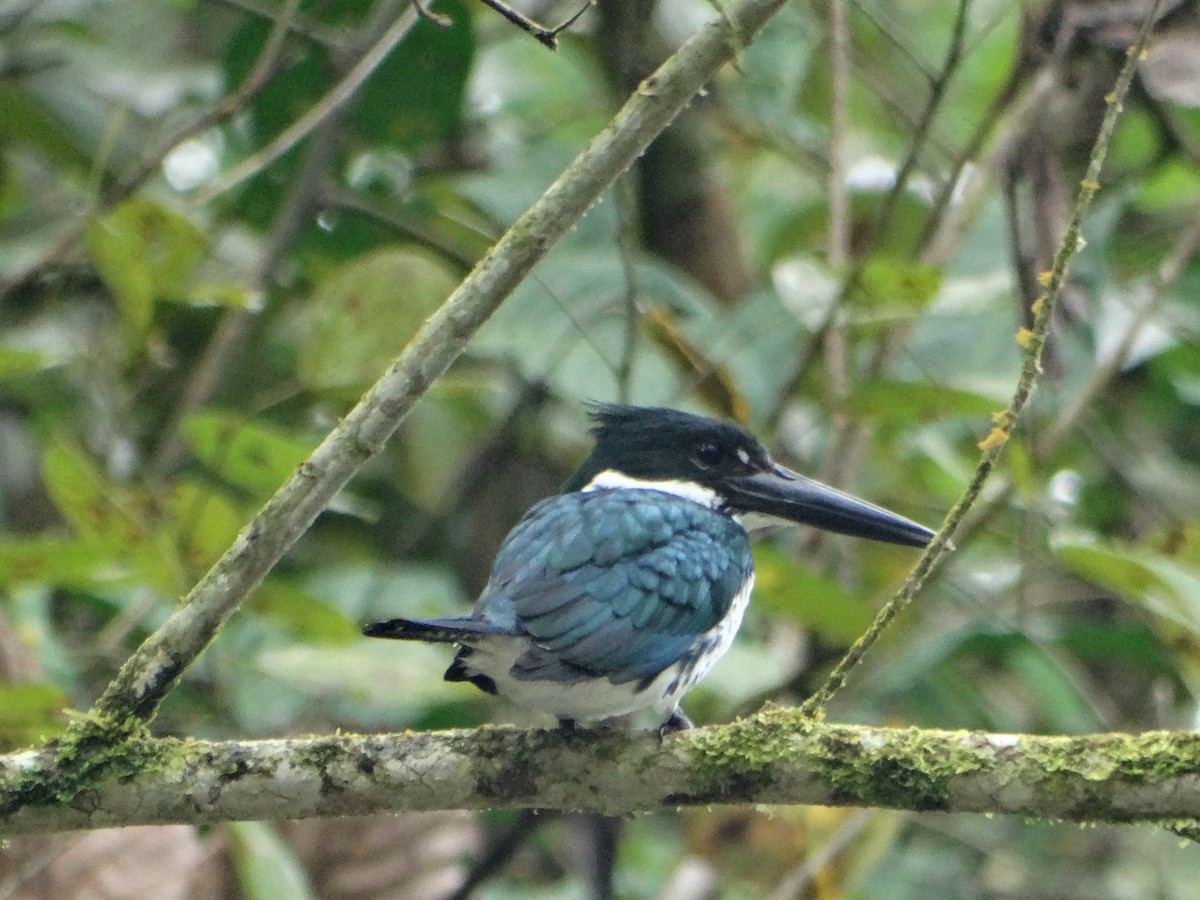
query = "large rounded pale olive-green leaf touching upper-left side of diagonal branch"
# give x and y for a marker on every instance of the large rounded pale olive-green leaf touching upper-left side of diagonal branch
(359, 320)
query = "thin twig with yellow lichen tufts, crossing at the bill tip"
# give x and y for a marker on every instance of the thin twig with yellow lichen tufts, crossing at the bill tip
(1034, 341)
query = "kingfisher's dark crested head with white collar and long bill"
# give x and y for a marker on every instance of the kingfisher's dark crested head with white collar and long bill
(724, 466)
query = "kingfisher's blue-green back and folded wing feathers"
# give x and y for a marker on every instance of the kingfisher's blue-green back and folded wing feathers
(614, 584)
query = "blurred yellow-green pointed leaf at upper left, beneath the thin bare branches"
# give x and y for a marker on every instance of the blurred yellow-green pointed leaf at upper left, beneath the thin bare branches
(143, 251)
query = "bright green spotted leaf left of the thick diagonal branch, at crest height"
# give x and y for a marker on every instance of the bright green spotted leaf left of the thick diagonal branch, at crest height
(253, 455)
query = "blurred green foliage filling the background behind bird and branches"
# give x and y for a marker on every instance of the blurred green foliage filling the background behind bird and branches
(842, 265)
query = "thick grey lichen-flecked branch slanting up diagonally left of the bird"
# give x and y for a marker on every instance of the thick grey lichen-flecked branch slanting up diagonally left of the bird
(155, 667)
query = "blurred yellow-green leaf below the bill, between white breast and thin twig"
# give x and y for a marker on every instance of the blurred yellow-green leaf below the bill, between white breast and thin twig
(785, 589)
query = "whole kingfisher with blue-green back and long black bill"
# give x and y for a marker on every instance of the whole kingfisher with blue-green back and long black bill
(622, 592)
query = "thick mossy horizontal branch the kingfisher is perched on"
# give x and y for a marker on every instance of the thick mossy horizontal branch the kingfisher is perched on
(776, 758)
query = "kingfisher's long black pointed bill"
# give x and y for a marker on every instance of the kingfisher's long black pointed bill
(787, 495)
